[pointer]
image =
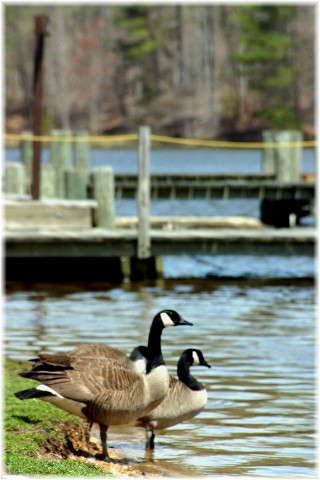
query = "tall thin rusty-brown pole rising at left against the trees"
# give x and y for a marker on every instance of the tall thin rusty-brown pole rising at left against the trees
(41, 23)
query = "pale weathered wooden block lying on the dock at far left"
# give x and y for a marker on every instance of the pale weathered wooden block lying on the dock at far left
(49, 214)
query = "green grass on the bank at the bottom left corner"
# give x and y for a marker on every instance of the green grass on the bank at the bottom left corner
(31, 424)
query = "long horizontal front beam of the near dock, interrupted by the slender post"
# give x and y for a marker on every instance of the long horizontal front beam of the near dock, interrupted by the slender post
(122, 242)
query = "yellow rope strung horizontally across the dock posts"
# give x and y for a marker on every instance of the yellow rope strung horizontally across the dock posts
(155, 138)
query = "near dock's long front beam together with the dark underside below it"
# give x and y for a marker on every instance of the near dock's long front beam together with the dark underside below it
(111, 254)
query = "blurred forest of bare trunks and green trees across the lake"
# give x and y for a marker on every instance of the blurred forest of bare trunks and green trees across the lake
(197, 71)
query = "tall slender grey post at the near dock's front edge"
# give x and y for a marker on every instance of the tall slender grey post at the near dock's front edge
(144, 244)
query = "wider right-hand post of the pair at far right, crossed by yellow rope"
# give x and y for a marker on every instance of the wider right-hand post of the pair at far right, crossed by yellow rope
(288, 159)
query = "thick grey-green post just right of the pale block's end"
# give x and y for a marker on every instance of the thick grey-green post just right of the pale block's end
(103, 192)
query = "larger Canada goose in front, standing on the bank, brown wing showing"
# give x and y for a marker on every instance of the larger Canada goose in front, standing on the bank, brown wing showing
(103, 391)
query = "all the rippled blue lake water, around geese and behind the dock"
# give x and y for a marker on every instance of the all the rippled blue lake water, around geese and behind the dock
(258, 333)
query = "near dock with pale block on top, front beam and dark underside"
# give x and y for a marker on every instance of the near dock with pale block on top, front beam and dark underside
(58, 240)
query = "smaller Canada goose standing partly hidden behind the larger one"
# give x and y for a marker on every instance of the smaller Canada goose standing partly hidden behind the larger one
(185, 398)
